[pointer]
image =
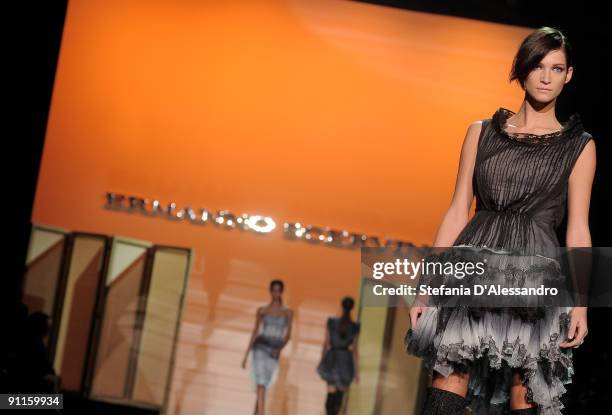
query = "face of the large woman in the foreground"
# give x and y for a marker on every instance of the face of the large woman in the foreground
(546, 80)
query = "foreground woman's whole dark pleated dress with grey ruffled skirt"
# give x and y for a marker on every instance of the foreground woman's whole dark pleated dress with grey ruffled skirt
(520, 183)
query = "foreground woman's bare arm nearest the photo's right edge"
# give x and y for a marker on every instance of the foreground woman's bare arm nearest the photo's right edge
(578, 233)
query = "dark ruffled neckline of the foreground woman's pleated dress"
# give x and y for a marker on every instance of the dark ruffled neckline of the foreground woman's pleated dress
(569, 129)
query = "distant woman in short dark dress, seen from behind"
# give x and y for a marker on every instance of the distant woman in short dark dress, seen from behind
(339, 360)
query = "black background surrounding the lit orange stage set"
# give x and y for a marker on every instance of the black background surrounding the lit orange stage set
(34, 37)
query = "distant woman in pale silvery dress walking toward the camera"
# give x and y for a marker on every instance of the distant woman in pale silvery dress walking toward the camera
(267, 342)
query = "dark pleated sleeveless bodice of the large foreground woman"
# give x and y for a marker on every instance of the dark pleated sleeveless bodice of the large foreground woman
(520, 183)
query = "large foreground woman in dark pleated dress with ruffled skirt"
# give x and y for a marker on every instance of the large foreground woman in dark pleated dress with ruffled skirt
(525, 169)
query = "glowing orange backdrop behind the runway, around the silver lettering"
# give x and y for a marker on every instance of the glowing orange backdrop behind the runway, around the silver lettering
(330, 113)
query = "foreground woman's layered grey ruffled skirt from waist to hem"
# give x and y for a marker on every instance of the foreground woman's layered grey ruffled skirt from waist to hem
(490, 343)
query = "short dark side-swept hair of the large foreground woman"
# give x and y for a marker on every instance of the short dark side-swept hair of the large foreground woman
(534, 48)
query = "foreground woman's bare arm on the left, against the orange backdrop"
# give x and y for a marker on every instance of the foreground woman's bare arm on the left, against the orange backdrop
(456, 216)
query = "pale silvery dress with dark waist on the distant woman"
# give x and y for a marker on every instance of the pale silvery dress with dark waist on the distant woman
(264, 364)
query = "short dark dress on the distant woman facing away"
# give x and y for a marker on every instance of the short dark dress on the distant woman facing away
(336, 366)
